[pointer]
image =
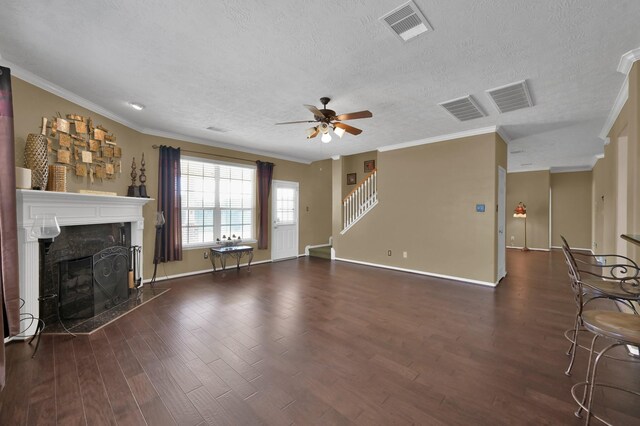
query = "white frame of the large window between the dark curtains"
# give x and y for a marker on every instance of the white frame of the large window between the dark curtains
(217, 209)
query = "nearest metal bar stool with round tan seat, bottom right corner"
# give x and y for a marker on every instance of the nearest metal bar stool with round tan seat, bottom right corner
(621, 329)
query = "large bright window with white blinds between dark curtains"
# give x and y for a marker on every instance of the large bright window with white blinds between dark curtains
(217, 199)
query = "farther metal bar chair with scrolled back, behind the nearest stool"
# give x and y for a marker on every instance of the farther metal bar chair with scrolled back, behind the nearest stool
(618, 281)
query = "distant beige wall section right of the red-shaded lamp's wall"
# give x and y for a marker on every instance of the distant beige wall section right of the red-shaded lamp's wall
(571, 209)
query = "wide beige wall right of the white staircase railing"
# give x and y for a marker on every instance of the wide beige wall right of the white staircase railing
(427, 197)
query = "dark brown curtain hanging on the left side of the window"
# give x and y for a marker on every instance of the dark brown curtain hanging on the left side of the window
(169, 203)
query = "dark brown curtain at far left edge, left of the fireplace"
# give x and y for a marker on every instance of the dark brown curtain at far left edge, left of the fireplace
(10, 286)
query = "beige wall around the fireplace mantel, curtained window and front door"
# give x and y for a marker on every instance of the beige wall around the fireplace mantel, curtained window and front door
(31, 103)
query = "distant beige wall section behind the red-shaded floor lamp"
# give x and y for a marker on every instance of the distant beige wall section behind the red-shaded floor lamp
(532, 188)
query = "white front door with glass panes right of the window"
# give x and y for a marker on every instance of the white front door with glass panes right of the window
(284, 213)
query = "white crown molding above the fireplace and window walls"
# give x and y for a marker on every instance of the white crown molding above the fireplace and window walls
(52, 88)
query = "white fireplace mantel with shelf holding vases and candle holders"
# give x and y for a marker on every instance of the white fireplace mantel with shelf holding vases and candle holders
(70, 209)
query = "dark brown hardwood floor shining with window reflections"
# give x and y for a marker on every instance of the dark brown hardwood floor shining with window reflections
(311, 341)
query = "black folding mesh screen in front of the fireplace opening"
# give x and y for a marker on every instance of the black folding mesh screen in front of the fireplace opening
(93, 284)
